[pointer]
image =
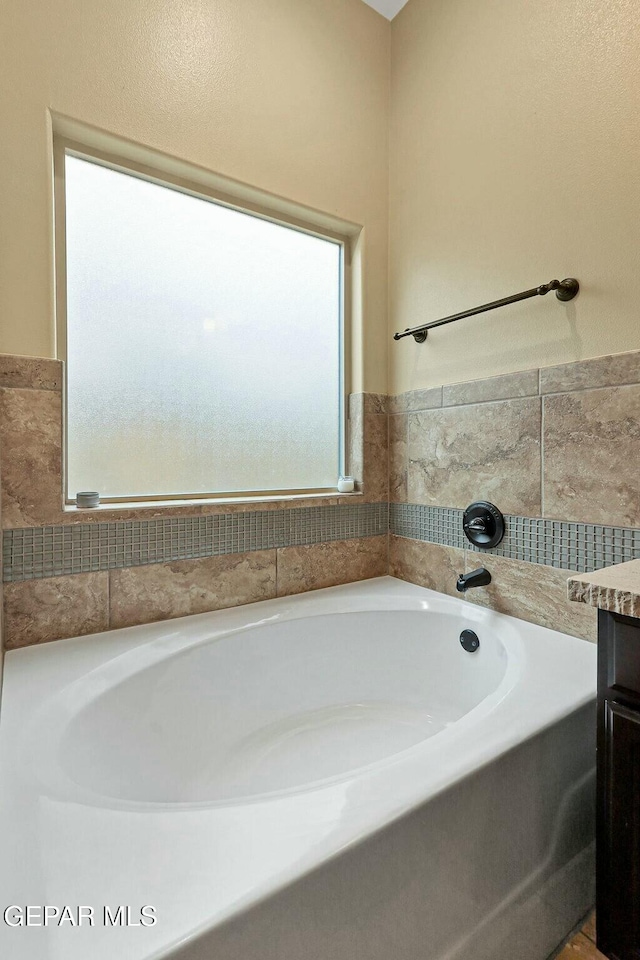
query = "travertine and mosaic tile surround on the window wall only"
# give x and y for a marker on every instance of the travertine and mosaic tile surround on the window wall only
(160, 560)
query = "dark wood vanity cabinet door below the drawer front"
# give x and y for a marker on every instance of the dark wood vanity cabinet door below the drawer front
(618, 881)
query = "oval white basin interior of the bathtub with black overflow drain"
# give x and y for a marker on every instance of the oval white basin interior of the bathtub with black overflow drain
(272, 708)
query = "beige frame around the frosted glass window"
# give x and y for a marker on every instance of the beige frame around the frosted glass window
(63, 146)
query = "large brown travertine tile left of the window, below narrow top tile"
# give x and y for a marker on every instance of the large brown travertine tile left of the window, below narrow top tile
(31, 446)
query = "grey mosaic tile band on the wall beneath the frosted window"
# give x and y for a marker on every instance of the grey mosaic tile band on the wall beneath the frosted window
(38, 552)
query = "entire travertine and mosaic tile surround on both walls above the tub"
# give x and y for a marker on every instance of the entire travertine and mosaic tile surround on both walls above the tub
(544, 445)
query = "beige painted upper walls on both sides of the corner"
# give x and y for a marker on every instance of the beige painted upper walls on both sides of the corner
(514, 140)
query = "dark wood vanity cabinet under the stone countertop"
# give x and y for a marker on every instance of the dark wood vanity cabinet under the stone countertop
(618, 787)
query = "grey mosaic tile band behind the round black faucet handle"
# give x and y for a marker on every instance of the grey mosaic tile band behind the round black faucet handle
(582, 547)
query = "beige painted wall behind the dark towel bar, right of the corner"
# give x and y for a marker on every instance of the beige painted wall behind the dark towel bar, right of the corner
(515, 159)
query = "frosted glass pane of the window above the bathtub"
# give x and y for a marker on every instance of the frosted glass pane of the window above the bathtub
(203, 344)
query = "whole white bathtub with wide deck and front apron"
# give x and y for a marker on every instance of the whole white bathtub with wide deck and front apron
(321, 777)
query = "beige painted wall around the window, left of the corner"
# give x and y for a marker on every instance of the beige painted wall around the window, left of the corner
(288, 96)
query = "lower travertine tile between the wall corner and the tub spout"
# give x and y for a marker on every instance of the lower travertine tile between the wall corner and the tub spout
(427, 564)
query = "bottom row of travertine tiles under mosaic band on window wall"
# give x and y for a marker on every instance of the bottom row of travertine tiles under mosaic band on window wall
(37, 611)
